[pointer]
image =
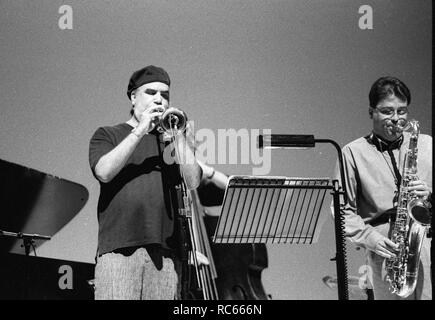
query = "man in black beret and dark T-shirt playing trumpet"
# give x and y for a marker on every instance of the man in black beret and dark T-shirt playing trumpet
(137, 243)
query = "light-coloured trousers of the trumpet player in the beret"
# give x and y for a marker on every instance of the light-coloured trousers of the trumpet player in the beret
(143, 274)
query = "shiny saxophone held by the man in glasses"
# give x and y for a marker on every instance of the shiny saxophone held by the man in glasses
(412, 220)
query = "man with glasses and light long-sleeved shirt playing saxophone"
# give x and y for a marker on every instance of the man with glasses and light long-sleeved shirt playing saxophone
(373, 166)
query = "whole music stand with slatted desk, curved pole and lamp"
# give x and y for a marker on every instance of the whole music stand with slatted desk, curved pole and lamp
(278, 218)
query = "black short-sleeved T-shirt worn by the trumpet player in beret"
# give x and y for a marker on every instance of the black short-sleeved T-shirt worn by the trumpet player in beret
(137, 206)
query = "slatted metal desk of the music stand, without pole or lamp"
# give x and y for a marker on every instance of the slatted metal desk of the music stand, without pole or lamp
(271, 210)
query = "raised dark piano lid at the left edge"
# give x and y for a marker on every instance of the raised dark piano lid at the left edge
(36, 203)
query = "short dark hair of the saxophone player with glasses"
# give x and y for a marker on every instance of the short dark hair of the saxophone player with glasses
(388, 86)
